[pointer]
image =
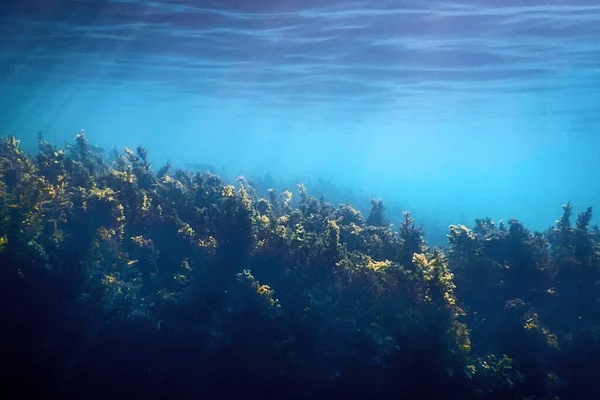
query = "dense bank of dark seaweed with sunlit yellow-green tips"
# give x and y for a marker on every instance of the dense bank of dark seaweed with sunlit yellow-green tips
(116, 277)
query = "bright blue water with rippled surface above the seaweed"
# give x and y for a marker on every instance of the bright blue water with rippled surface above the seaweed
(452, 110)
